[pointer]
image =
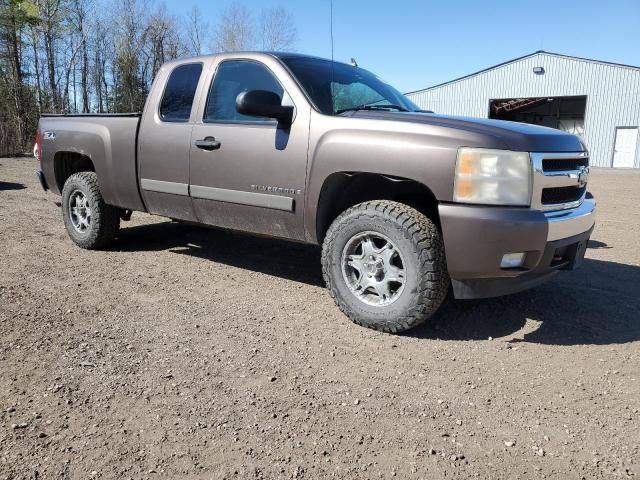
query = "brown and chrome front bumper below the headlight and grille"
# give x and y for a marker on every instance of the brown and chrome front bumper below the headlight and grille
(476, 238)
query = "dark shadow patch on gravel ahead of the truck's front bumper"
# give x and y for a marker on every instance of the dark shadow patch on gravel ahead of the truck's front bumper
(598, 304)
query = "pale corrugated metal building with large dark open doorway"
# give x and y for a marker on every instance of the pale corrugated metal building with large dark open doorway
(600, 101)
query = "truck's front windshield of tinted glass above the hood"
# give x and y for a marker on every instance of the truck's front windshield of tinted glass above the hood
(345, 88)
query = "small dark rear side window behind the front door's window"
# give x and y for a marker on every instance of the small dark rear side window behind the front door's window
(178, 95)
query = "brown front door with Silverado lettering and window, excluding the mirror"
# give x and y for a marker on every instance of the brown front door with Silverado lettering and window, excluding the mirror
(248, 173)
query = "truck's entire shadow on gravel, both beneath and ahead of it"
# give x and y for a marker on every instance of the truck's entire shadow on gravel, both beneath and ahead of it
(597, 304)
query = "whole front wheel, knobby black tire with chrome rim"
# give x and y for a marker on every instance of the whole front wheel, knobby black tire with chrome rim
(413, 255)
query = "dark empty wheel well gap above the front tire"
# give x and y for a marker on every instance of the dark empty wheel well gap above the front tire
(346, 189)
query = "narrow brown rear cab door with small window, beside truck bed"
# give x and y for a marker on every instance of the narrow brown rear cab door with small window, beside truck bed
(164, 140)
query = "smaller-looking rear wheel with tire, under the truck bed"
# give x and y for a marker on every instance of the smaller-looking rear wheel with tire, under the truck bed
(94, 226)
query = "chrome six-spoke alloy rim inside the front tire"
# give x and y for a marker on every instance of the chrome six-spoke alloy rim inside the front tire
(373, 269)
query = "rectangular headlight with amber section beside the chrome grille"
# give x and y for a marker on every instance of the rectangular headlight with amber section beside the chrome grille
(492, 177)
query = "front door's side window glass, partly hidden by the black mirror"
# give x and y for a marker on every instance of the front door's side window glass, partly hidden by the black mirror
(232, 78)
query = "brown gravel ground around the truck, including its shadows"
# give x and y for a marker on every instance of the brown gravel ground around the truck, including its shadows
(185, 352)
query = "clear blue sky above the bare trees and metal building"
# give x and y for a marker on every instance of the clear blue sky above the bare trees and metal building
(415, 44)
